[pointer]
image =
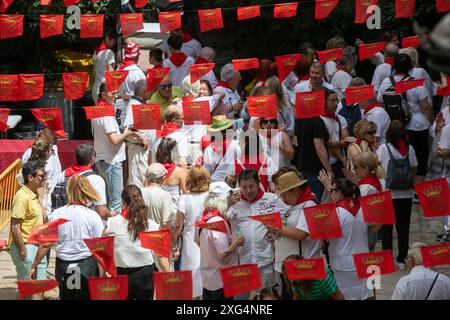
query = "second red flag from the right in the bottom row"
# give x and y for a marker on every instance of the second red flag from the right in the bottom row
(382, 259)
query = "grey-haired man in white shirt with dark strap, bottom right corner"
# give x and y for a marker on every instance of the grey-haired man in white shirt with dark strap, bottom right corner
(421, 283)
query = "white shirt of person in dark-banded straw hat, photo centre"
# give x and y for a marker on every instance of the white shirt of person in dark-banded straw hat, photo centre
(218, 165)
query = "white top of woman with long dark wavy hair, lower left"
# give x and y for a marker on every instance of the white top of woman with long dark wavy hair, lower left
(129, 253)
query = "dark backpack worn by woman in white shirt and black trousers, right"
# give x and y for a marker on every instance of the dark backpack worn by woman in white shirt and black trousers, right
(399, 173)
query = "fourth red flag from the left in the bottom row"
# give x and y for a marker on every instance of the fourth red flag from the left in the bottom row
(240, 279)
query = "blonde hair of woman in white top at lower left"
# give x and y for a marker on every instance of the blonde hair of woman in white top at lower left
(81, 192)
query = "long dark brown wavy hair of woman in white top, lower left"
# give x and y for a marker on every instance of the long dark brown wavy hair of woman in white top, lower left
(137, 211)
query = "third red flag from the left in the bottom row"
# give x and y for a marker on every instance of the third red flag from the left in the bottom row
(173, 285)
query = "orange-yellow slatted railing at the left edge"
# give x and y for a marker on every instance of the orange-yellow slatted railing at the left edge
(8, 188)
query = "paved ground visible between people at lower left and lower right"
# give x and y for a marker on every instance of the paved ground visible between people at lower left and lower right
(422, 229)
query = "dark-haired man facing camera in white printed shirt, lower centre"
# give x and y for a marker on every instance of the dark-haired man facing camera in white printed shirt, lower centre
(257, 248)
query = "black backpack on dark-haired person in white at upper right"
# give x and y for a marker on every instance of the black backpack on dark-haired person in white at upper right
(396, 105)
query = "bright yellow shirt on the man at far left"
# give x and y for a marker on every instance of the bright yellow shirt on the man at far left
(27, 208)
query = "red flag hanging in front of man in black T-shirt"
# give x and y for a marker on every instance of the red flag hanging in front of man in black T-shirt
(310, 104)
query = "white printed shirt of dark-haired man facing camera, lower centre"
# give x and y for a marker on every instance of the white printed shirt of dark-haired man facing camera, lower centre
(256, 248)
